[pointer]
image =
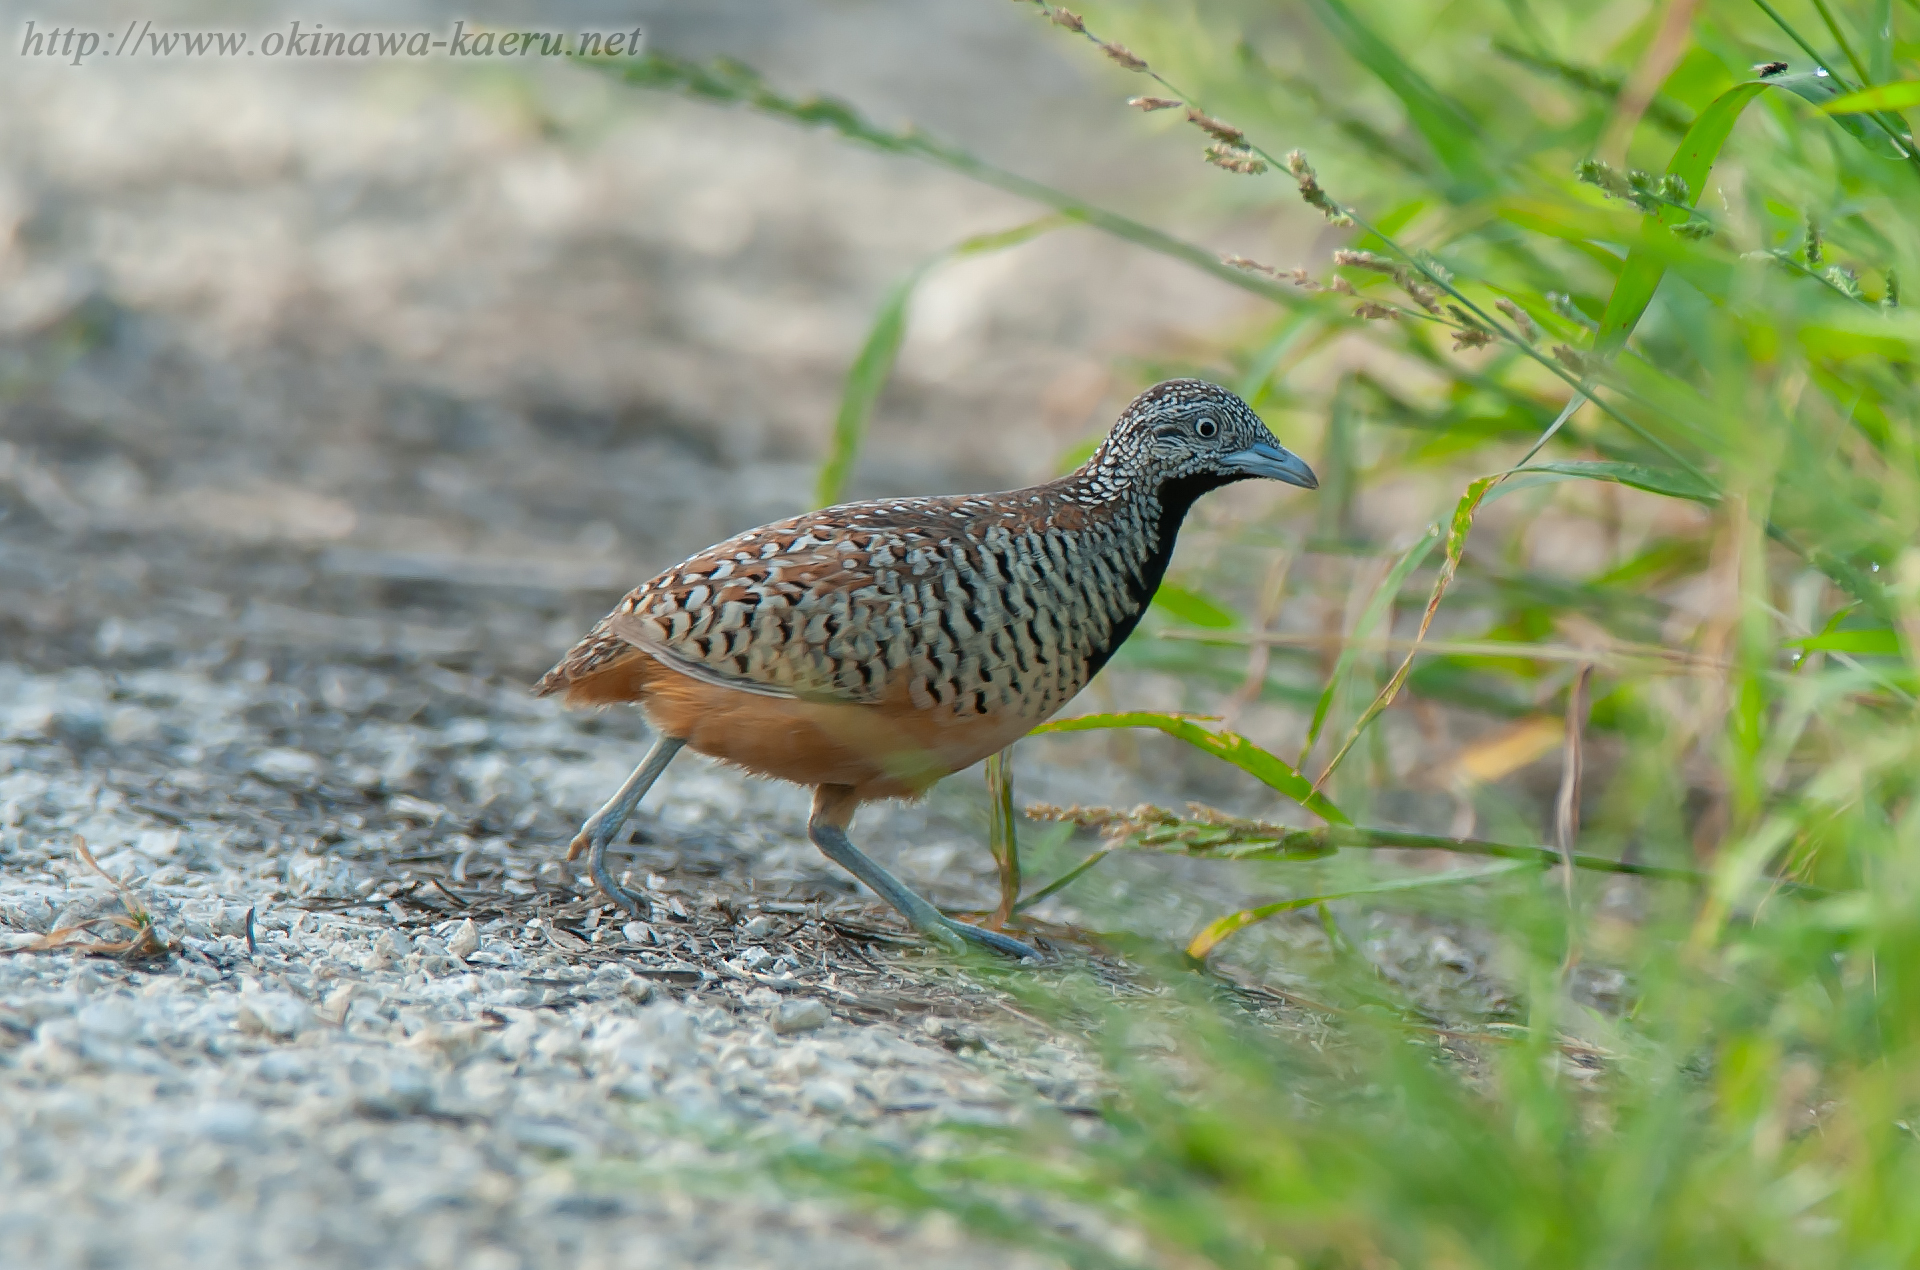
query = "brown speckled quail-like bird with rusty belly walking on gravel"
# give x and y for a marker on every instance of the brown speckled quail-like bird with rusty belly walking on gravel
(873, 648)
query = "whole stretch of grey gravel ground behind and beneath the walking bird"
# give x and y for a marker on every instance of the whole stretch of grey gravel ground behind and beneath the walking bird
(335, 403)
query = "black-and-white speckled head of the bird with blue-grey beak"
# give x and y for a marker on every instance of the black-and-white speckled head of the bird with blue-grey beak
(1195, 435)
